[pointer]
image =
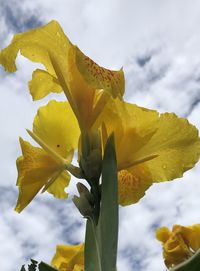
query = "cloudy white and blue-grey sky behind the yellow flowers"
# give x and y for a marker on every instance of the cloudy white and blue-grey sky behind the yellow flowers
(157, 43)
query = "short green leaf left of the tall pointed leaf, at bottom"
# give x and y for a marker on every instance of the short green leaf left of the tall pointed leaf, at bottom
(91, 250)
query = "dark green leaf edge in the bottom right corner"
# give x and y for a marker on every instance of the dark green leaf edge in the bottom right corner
(192, 264)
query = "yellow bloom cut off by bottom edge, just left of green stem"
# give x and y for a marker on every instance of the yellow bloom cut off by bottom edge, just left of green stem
(69, 258)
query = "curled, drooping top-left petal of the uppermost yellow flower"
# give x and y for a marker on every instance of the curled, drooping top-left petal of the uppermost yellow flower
(36, 45)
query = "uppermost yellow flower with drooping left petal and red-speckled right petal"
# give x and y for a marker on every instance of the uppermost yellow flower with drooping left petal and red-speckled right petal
(86, 85)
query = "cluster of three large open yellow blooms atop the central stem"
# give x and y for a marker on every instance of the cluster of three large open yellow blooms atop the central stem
(150, 147)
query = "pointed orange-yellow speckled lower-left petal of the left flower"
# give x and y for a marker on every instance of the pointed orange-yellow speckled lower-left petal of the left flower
(35, 168)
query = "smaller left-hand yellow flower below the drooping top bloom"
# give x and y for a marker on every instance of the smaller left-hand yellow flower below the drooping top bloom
(56, 128)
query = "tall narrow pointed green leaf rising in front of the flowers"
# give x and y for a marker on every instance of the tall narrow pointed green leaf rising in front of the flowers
(108, 221)
